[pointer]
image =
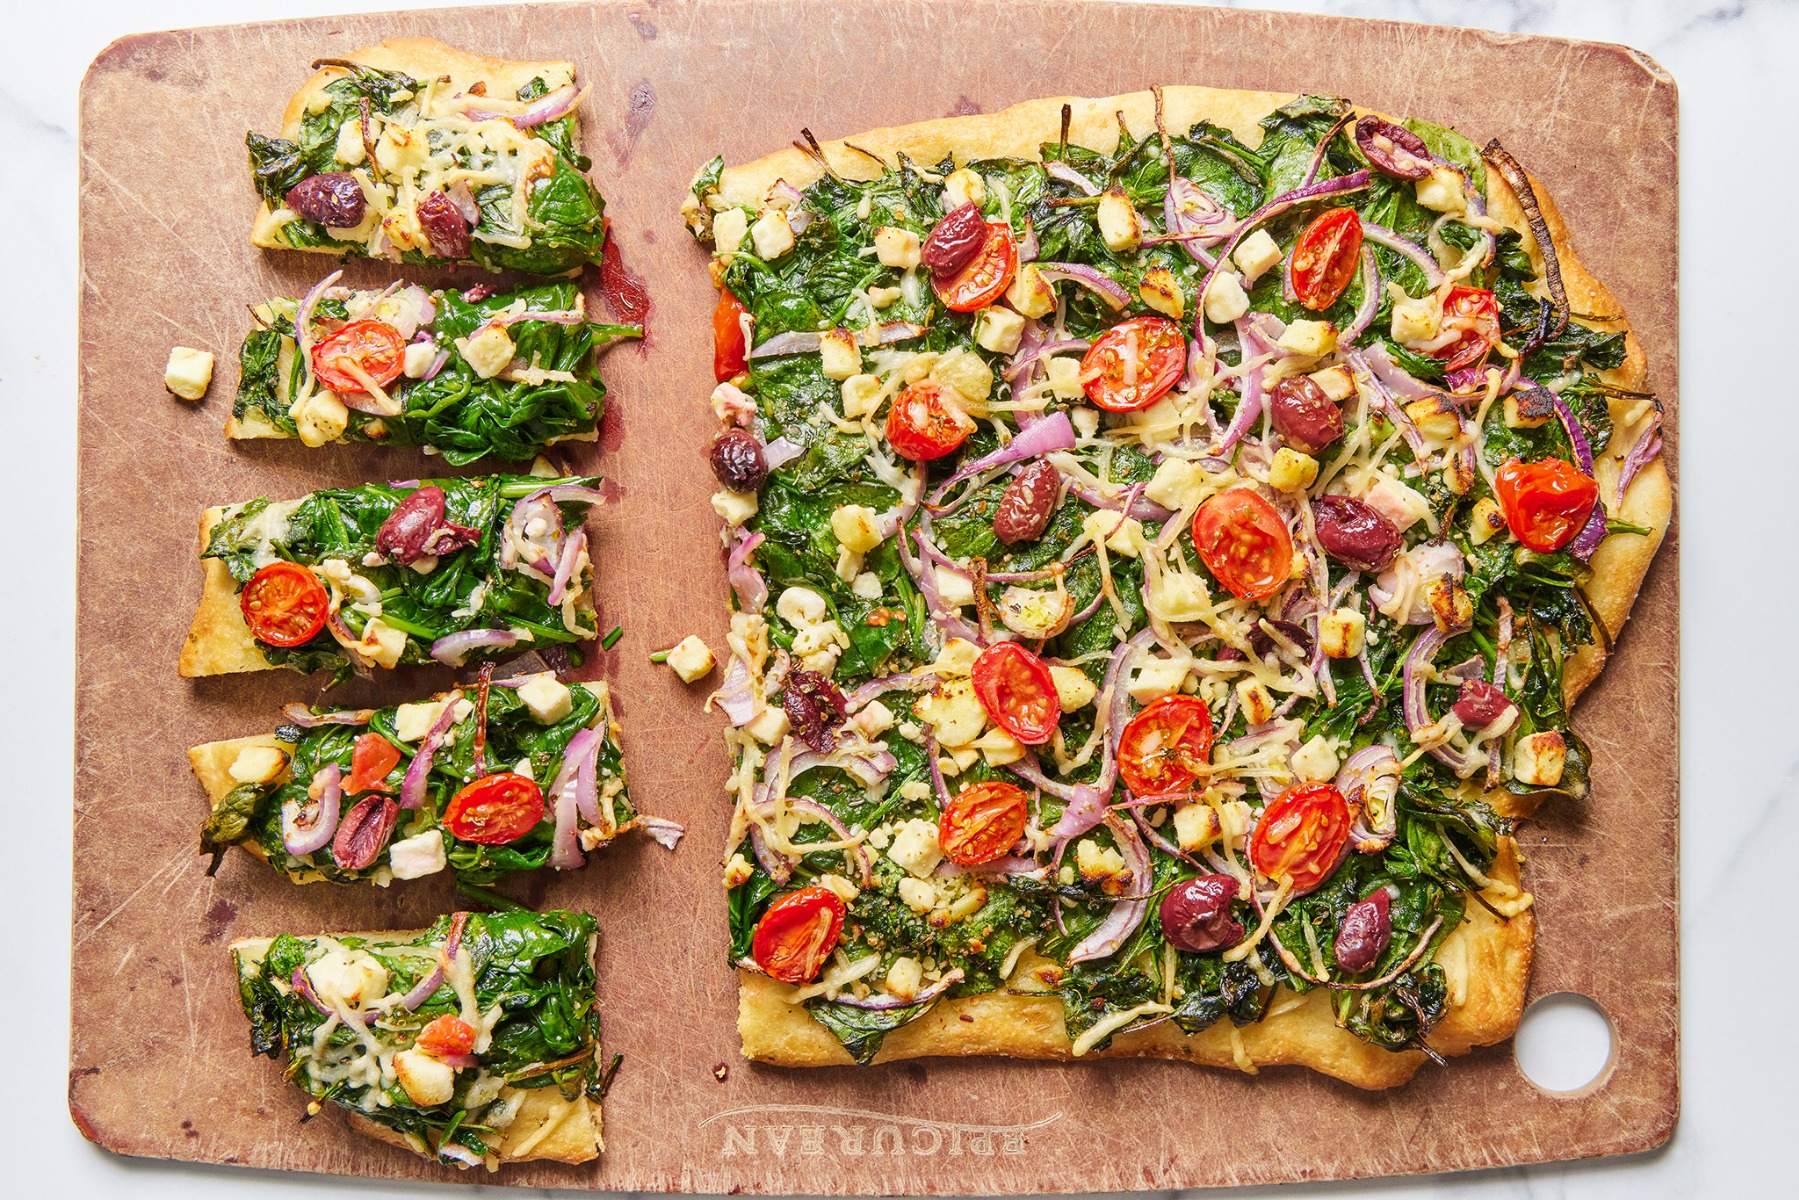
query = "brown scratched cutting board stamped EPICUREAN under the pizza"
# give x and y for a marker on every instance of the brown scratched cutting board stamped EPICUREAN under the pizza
(159, 1059)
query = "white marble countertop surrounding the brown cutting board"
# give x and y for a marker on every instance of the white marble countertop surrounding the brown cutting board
(1733, 62)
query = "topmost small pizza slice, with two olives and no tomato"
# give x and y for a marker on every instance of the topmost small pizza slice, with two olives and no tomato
(416, 152)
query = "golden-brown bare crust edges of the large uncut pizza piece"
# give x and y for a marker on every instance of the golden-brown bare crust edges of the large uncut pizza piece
(1489, 956)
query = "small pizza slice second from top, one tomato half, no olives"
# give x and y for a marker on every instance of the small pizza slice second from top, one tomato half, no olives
(465, 373)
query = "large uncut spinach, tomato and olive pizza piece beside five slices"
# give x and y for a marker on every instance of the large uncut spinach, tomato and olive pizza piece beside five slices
(1167, 537)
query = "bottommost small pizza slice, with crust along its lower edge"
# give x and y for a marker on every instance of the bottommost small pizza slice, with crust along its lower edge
(474, 1043)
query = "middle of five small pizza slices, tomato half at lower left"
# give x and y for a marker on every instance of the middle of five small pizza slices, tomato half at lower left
(380, 575)
